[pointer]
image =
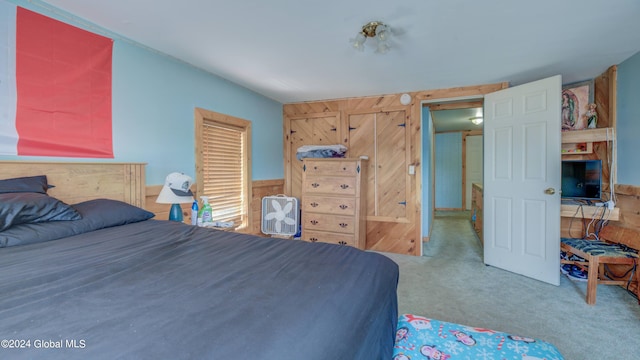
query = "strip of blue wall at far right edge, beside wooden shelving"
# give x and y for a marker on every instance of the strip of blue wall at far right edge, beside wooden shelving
(628, 121)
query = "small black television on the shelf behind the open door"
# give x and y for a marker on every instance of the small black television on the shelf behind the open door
(581, 179)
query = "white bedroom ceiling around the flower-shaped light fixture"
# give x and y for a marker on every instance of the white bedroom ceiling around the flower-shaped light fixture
(298, 50)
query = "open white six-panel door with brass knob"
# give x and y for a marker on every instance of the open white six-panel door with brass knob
(522, 154)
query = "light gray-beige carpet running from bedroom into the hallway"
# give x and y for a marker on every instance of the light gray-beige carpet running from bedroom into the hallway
(451, 283)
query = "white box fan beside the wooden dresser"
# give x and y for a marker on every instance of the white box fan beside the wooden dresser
(280, 215)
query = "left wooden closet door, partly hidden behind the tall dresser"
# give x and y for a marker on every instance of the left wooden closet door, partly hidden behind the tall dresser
(313, 130)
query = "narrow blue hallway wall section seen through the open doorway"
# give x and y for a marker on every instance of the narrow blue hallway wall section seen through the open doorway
(448, 170)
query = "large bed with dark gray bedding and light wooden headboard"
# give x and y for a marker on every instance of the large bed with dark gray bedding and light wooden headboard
(112, 282)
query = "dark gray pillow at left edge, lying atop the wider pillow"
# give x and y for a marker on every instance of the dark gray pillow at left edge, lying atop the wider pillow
(30, 207)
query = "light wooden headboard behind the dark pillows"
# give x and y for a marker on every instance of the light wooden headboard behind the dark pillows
(79, 181)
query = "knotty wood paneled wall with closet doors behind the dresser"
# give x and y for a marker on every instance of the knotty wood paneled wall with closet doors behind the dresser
(332, 122)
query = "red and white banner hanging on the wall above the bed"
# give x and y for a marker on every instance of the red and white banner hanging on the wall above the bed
(55, 87)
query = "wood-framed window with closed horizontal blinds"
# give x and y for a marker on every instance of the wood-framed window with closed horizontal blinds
(223, 169)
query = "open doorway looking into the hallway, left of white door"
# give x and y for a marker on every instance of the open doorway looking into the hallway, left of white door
(457, 164)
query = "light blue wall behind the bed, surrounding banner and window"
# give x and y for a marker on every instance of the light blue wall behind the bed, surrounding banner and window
(153, 102)
